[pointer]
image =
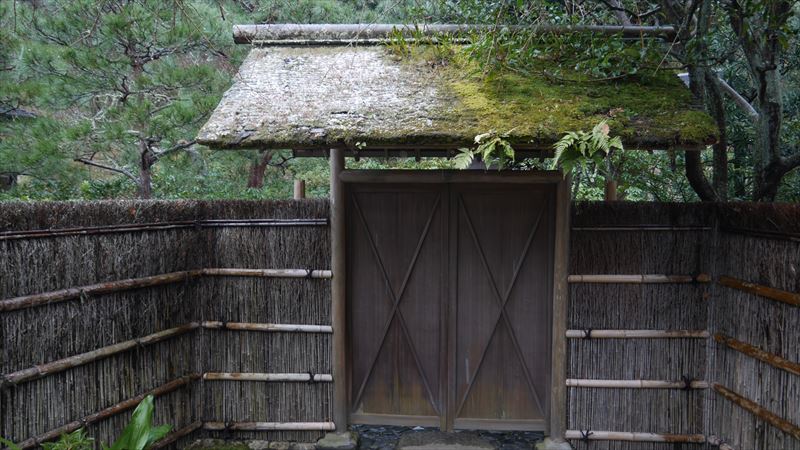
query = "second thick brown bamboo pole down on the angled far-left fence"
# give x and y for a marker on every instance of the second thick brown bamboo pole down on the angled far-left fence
(42, 370)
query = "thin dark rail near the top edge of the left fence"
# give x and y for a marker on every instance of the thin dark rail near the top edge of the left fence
(158, 226)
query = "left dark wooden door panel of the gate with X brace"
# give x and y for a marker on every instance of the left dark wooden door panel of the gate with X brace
(395, 286)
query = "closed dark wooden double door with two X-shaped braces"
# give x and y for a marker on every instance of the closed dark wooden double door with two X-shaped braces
(449, 288)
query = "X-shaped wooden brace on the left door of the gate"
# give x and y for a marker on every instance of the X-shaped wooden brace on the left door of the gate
(395, 299)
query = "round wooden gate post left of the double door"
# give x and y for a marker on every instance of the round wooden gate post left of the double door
(338, 300)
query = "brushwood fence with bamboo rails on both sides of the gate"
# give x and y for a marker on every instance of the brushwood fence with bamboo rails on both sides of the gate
(683, 322)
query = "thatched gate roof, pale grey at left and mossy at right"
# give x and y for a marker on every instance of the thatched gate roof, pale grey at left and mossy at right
(315, 97)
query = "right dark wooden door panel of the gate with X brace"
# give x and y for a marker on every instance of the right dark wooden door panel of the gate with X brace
(502, 242)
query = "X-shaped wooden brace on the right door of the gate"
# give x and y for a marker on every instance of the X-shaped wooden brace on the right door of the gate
(501, 302)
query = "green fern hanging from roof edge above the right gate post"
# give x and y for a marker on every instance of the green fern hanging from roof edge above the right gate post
(579, 149)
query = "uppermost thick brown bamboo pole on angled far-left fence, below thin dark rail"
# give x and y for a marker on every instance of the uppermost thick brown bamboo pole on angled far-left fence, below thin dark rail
(29, 301)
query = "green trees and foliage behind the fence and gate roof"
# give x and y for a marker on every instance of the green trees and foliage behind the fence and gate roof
(100, 98)
